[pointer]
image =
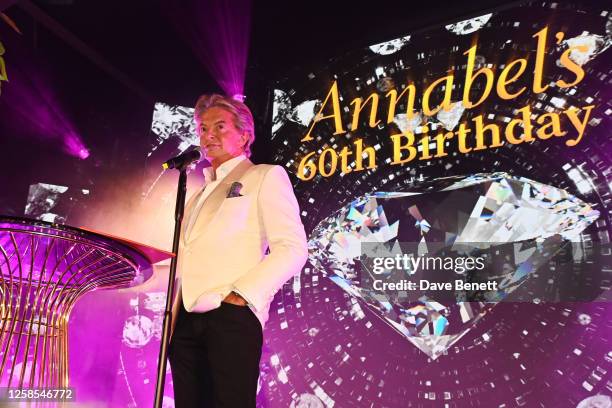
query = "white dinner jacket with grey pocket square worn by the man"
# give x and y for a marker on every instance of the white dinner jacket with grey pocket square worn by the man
(226, 249)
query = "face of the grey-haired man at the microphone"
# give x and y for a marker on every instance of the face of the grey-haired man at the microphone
(219, 138)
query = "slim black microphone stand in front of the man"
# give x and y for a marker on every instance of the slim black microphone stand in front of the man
(165, 337)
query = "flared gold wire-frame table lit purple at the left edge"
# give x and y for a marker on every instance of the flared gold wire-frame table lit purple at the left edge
(44, 269)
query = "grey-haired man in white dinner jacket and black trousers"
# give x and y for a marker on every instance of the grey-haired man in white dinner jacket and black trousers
(227, 278)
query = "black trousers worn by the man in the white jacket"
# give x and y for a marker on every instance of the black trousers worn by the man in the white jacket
(214, 358)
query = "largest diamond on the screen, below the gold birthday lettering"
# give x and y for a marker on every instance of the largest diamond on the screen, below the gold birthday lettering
(520, 223)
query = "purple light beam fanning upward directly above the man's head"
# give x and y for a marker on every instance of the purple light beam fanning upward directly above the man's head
(218, 33)
